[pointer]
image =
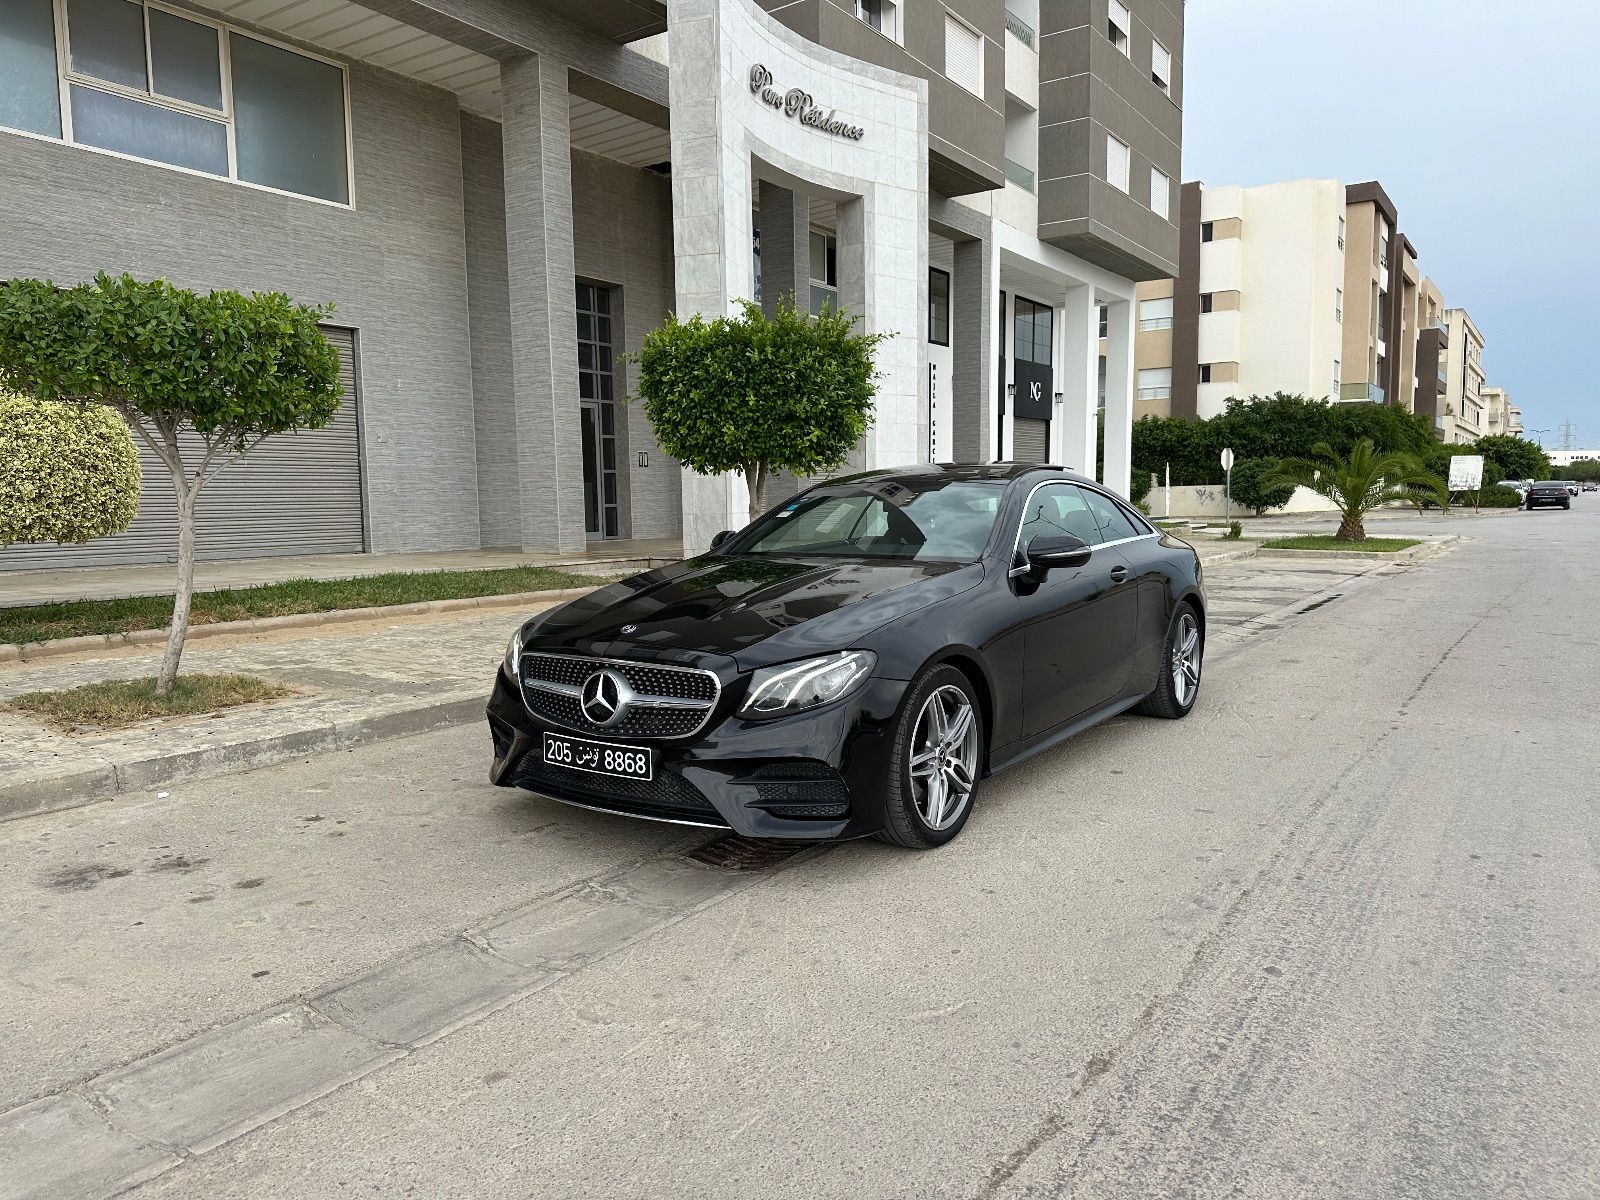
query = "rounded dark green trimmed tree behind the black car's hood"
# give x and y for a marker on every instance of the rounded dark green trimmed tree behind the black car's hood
(759, 394)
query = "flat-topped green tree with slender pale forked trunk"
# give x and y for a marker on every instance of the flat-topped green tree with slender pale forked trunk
(199, 378)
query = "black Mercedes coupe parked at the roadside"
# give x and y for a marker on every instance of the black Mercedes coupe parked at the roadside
(857, 660)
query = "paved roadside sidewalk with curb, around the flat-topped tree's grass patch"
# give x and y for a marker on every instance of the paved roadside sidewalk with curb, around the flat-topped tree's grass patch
(359, 682)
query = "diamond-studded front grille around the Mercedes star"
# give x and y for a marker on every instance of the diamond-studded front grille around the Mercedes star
(551, 690)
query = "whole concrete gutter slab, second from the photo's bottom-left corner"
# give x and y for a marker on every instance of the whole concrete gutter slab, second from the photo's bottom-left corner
(223, 1084)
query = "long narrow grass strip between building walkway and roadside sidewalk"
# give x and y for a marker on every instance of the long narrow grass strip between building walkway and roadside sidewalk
(78, 618)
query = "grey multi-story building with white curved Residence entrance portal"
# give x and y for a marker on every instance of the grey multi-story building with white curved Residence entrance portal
(503, 199)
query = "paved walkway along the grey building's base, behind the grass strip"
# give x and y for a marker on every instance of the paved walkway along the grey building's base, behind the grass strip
(106, 583)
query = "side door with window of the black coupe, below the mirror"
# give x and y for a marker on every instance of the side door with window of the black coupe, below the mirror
(1079, 625)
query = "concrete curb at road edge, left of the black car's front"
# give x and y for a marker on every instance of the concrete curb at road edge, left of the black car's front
(111, 778)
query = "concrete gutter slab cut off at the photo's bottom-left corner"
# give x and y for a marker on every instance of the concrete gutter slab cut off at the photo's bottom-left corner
(62, 1148)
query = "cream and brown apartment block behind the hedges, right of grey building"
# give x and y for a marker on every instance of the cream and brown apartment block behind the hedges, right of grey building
(1302, 287)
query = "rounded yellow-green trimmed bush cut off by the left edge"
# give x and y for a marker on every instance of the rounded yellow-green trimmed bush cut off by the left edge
(68, 474)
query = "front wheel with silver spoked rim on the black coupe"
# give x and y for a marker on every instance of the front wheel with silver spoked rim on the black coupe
(910, 796)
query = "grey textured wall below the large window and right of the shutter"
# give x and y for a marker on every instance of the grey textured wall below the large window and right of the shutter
(394, 266)
